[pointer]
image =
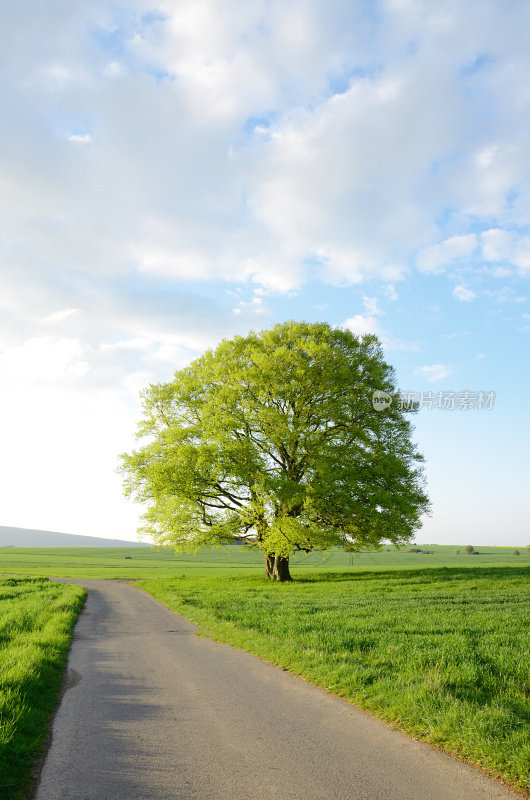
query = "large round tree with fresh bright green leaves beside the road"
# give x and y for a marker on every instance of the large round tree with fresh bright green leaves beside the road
(273, 440)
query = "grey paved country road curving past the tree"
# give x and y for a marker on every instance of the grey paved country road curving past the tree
(156, 713)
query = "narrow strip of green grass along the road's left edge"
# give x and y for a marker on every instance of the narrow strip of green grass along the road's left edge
(36, 621)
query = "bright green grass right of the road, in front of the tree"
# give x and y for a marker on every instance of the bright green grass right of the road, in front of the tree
(441, 653)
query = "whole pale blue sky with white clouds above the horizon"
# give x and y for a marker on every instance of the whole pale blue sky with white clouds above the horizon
(175, 172)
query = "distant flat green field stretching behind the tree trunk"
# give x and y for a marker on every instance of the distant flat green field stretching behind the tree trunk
(108, 562)
